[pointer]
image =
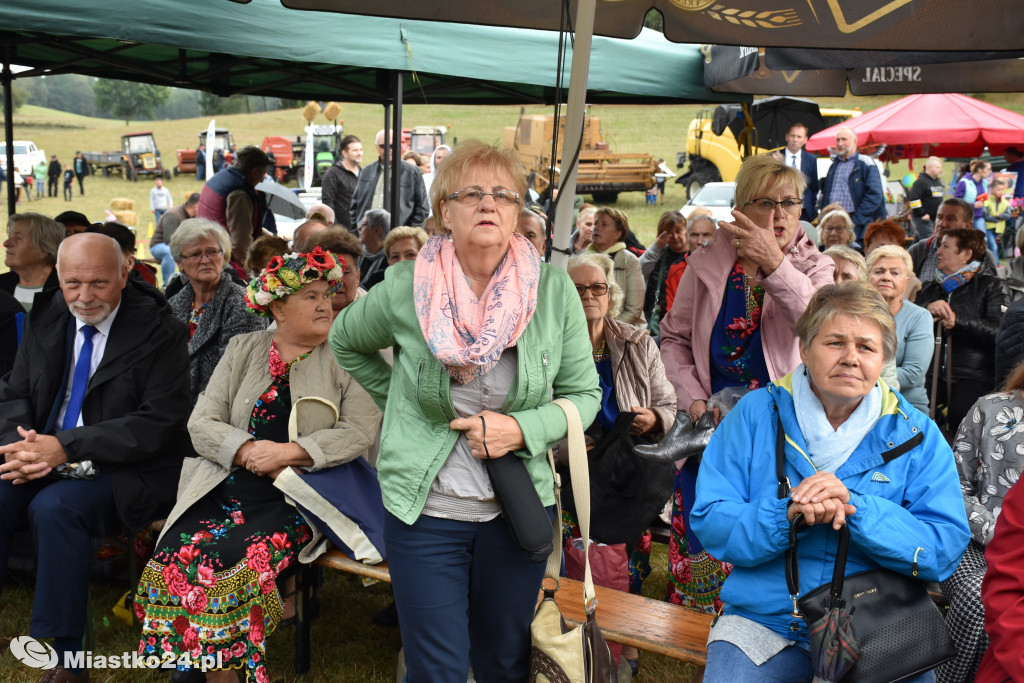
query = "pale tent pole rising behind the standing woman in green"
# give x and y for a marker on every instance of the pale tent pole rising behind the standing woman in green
(574, 132)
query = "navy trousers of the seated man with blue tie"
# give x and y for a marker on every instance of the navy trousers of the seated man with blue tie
(66, 518)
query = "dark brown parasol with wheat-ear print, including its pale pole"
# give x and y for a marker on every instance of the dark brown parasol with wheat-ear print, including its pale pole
(878, 25)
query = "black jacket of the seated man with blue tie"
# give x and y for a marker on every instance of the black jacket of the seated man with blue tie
(136, 408)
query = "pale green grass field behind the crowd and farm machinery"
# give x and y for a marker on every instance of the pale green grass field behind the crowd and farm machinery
(659, 131)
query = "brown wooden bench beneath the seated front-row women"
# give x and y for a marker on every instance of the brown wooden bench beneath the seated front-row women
(649, 625)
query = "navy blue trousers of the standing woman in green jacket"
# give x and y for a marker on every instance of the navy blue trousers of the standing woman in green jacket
(466, 594)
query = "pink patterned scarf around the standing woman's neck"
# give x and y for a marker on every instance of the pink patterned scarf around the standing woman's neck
(468, 335)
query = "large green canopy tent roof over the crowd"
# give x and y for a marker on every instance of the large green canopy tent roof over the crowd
(265, 49)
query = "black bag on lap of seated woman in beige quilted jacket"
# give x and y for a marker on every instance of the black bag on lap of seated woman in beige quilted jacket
(627, 492)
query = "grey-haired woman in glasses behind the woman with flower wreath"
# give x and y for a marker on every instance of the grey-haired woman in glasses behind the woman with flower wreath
(212, 306)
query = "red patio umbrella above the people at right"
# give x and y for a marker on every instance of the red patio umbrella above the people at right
(942, 125)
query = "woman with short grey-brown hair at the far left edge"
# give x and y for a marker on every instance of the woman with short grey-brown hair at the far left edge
(31, 253)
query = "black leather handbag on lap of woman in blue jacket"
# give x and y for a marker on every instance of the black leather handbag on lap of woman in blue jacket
(899, 629)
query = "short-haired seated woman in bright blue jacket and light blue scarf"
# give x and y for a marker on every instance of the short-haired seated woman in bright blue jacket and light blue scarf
(857, 453)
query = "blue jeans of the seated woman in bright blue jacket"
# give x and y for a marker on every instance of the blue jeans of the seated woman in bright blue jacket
(728, 664)
